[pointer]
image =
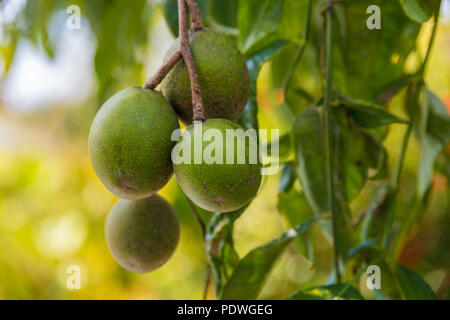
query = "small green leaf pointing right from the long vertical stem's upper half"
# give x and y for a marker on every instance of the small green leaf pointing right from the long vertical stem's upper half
(368, 115)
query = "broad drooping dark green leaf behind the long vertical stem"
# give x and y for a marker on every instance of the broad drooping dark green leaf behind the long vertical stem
(355, 152)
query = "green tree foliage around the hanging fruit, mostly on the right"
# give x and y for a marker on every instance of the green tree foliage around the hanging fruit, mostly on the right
(368, 71)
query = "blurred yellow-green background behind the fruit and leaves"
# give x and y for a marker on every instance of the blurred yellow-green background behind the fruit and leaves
(52, 206)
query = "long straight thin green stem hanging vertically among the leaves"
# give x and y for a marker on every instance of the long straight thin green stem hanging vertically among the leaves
(328, 135)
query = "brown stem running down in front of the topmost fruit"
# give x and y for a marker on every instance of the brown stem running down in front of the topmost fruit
(197, 101)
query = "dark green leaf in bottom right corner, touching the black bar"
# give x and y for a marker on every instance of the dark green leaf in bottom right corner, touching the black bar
(411, 285)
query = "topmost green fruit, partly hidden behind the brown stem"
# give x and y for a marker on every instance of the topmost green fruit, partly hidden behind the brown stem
(223, 77)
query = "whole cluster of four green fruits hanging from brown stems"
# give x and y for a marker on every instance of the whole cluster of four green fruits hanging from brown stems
(130, 148)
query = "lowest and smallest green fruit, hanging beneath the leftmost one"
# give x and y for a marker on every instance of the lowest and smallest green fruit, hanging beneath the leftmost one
(142, 234)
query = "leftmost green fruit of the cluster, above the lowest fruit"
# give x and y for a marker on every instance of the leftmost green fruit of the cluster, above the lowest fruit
(130, 145)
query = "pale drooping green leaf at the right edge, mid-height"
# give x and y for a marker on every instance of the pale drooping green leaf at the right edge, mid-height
(434, 135)
